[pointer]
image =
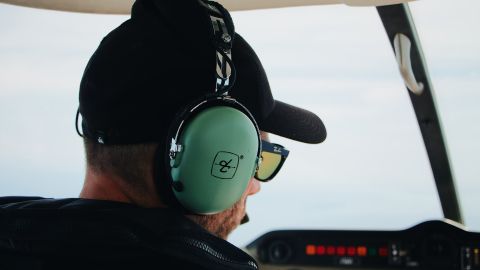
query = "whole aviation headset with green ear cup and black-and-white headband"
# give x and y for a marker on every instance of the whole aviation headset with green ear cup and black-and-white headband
(215, 144)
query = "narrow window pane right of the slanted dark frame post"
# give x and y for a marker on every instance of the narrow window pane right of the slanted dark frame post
(453, 58)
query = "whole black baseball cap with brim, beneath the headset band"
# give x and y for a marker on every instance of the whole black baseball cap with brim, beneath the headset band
(162, 59)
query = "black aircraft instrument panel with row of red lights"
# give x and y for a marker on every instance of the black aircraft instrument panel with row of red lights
(429, 245)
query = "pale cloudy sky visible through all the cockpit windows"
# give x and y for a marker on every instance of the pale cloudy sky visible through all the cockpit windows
(372, 172)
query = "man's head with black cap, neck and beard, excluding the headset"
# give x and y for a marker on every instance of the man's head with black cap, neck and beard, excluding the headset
(142, 75)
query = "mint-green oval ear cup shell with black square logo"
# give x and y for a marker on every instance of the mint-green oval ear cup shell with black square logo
(219, 153)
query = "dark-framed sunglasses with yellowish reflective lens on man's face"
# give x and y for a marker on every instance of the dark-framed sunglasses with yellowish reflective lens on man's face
(273, 156)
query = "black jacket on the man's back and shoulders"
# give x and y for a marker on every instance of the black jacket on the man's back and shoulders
(38, 233)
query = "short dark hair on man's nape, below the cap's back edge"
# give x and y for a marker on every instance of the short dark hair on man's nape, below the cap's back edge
(133, 163)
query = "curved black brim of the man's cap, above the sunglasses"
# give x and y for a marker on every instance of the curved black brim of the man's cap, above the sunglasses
(294, 123)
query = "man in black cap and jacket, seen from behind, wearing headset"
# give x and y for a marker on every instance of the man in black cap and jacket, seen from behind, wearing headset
(131, 213)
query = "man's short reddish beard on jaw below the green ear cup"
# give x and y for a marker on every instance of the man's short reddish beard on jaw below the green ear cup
(223, 223)
